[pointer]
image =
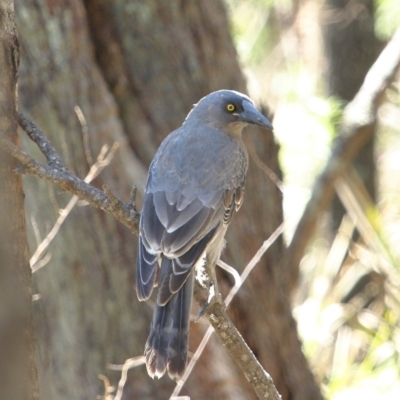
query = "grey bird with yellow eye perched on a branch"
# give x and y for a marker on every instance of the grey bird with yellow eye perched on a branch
(195, 183)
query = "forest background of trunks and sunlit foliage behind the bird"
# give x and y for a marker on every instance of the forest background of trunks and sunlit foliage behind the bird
(320, 310)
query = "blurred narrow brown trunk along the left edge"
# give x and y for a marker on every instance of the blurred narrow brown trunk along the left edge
(18, 373)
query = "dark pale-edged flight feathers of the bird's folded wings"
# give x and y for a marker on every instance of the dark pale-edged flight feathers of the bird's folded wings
(180, 235)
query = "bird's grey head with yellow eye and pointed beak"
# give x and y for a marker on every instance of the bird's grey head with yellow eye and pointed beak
(227, 110)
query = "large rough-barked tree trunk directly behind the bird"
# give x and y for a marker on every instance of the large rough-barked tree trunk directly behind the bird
(134, 69)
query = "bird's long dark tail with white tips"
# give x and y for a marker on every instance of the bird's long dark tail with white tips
(167, 345)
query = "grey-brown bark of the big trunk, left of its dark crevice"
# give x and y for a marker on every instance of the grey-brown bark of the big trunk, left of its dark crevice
(88, 315)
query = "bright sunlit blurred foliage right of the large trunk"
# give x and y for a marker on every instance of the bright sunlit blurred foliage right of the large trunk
(348, 301)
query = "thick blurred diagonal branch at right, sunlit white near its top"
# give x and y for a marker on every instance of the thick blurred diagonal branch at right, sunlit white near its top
(356, 128)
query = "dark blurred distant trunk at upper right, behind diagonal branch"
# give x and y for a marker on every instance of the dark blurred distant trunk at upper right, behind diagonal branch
(351, 49)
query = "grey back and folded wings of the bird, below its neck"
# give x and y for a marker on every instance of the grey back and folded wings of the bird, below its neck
(186, 200)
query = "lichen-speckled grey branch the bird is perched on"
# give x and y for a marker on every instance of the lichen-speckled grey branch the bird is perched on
(55, 172)
